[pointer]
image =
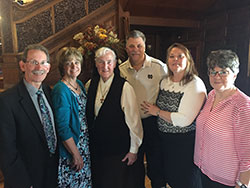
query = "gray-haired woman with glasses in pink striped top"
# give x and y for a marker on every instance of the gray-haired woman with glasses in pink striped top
(222, 146)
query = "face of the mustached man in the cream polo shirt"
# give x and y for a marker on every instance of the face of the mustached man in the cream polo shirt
(135, 48)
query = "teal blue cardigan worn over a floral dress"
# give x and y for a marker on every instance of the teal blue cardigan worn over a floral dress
(66, 111)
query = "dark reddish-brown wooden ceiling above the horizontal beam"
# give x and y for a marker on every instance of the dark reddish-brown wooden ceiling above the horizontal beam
(168, 8)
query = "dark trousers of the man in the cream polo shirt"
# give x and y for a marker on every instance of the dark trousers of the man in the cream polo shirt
(151, 146)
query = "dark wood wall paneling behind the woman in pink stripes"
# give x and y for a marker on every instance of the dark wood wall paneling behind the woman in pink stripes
(229, 29)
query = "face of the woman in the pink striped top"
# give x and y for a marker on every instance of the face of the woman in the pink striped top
(222, 82)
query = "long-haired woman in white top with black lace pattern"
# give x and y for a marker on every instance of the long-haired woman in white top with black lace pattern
(181, 96)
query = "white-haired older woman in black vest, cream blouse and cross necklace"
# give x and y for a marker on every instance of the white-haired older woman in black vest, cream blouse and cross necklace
(114, 125)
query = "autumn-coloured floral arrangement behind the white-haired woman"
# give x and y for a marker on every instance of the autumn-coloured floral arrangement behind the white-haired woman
(95, 37)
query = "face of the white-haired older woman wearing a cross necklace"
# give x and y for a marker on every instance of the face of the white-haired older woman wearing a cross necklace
(105, 66)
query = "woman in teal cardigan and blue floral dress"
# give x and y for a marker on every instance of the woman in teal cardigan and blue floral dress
(69, 102)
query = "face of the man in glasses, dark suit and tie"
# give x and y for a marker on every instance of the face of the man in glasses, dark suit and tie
(35, 73)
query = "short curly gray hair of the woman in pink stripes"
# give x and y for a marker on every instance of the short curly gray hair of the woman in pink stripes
(223, 59)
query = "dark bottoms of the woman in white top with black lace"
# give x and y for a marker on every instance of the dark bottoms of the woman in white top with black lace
(179, 169)
